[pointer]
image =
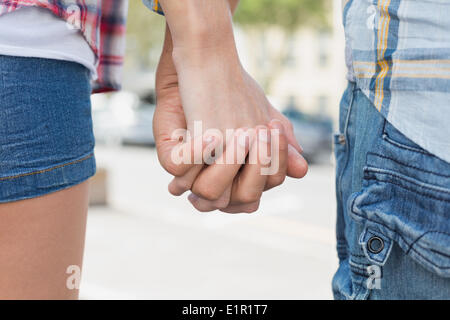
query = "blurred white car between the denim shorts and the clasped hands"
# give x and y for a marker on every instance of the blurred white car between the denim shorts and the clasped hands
(123, 118)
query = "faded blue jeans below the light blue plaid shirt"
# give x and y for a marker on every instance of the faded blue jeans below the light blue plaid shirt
(393, 210)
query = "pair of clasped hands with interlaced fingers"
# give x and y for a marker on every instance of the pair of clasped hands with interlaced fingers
(212, 87)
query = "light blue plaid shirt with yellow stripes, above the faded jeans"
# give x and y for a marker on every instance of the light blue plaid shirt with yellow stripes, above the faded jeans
(398, 53)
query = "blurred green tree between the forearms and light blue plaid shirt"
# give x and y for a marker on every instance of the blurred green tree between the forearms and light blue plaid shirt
(258, 17)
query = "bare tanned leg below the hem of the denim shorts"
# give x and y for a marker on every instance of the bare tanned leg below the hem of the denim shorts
(39, 239)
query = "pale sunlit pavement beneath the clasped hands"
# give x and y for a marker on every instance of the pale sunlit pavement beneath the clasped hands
(147, 244)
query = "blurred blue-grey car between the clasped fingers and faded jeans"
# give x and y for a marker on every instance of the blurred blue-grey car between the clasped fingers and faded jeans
(314, 133)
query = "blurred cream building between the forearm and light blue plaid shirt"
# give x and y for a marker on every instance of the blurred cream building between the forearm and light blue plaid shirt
(305, 69)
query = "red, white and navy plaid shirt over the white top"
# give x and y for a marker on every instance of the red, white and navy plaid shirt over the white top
(102, 23)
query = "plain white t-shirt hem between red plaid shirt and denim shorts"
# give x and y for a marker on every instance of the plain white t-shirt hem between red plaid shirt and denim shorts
(36, 32)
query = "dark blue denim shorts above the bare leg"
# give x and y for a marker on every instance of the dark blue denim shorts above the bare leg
(46, 135)
